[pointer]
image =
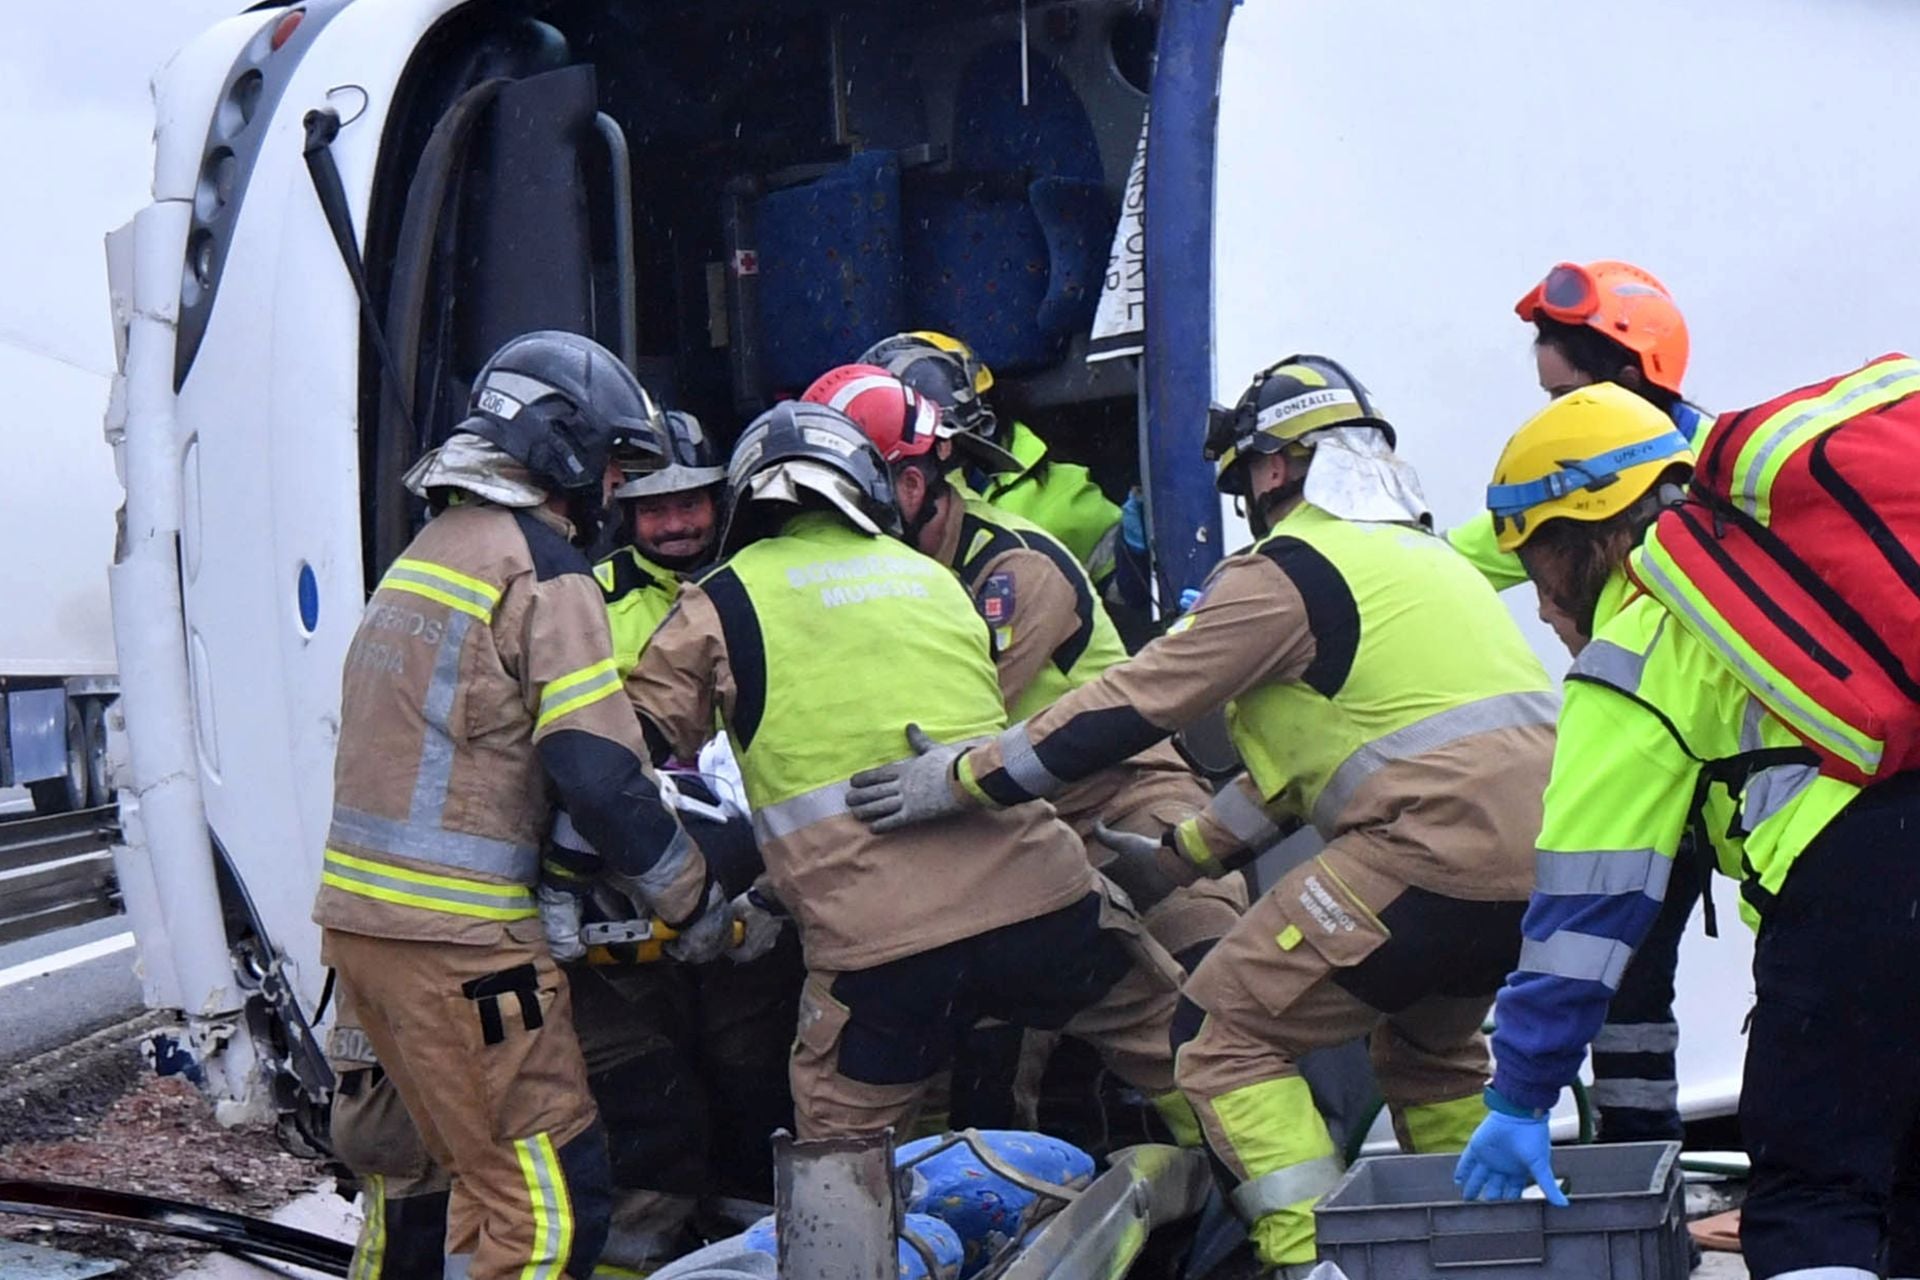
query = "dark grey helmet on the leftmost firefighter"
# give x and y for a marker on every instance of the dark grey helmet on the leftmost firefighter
(560, 404)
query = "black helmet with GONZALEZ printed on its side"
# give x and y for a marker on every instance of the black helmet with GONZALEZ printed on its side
(1285, 402)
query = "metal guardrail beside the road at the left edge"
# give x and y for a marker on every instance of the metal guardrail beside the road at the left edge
(57, 872)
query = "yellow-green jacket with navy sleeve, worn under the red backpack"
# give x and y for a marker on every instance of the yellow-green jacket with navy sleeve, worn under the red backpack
(1646, 707)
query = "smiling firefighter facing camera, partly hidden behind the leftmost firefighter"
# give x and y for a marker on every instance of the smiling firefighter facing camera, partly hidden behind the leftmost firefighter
(690, 1062)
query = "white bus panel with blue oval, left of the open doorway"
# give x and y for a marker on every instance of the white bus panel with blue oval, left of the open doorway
(272, 485)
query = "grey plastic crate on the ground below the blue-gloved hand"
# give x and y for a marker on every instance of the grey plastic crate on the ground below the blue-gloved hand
(1401, 1218)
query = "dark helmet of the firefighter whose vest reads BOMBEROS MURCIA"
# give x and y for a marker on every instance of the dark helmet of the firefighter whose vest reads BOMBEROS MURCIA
(800, 450)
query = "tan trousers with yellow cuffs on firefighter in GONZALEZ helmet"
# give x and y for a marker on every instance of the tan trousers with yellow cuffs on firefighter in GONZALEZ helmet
(1289, 980)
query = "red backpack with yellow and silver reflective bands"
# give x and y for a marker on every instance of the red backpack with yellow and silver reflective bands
(1796, 557)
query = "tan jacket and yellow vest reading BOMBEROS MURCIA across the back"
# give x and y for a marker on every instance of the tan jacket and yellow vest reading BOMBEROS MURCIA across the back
(817, 648)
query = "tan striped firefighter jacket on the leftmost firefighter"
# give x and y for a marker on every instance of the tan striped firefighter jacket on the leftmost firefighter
(483, 673)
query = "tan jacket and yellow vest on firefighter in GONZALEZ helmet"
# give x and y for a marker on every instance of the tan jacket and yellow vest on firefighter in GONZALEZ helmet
(1376, 686)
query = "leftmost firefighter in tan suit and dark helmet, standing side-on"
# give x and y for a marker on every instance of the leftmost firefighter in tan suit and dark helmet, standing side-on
(481, 678)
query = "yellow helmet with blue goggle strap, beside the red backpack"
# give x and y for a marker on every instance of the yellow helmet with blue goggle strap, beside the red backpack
(1589, 456)
